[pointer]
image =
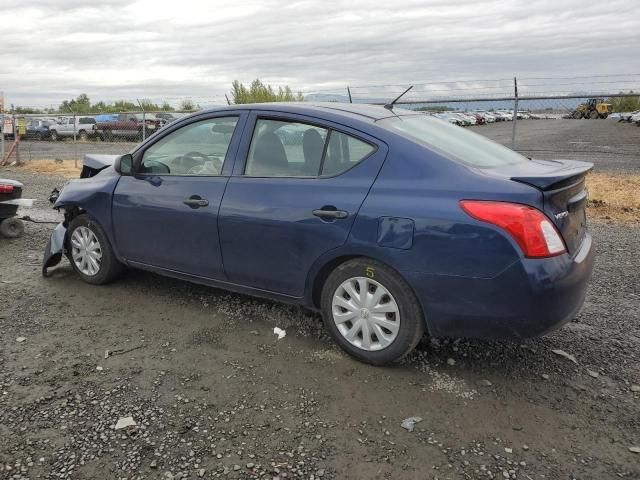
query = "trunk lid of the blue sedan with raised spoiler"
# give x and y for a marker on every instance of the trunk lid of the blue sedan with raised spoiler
(562, 183)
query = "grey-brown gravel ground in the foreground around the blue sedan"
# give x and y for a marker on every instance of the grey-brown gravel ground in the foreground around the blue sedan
(214, 394)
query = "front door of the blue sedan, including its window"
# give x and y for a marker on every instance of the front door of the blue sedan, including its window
(167, 214)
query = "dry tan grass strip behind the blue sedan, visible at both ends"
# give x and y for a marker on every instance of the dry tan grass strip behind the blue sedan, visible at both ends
(611, 196)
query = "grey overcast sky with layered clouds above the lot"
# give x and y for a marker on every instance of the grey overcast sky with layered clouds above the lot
(56, 49)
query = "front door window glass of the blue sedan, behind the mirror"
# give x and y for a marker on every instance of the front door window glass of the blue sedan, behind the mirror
(196, 149)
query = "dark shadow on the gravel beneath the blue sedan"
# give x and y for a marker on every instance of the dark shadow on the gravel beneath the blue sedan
(524, 360)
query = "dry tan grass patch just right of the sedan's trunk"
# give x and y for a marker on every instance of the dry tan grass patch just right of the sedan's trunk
(614, 197)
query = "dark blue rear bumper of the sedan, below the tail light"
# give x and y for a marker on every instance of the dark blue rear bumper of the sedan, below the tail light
(530, 298)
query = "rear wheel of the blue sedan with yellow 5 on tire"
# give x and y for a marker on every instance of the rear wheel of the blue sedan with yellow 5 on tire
(400, 311)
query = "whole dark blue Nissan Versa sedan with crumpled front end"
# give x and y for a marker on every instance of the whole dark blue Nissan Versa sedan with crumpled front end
(390, 222)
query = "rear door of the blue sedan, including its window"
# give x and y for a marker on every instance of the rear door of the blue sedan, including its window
(294, 197)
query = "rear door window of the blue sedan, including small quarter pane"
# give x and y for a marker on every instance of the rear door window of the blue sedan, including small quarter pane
(293, 149)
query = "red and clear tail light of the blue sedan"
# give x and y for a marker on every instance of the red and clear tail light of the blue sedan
(528, 226)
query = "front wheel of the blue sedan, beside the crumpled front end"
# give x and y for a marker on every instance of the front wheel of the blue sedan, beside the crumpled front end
(81, 234)
